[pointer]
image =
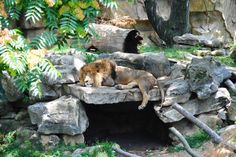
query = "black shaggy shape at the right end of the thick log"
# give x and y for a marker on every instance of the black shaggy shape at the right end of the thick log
(132, 40)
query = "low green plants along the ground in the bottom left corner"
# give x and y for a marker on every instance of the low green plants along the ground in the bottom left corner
(10, 147)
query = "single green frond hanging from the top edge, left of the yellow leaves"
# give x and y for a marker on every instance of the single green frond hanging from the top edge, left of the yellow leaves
(34, 11)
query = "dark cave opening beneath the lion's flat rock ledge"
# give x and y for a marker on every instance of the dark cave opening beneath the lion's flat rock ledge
(124, 124)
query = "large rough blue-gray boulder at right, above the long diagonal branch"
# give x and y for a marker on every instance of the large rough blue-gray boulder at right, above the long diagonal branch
(205, 76)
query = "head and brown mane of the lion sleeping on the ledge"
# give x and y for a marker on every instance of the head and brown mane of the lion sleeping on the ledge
(96, 72)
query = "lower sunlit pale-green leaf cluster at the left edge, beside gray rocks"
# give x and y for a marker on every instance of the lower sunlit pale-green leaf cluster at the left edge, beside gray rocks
(14, 58)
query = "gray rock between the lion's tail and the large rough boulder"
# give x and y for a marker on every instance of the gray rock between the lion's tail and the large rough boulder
(178, 91)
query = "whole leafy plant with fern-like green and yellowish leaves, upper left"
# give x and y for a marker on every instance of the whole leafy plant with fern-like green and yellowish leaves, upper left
(65, 20)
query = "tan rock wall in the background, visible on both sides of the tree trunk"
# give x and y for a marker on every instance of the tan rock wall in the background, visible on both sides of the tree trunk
(212, 17)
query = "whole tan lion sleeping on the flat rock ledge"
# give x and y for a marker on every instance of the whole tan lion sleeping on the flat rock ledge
(105, 72)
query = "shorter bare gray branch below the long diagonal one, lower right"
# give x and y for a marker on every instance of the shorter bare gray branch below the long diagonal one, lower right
(184, 142)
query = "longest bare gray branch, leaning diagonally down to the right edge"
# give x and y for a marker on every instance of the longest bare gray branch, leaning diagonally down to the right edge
(216, 138)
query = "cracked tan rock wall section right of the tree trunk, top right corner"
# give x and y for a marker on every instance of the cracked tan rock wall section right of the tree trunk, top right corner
(213, 17)
